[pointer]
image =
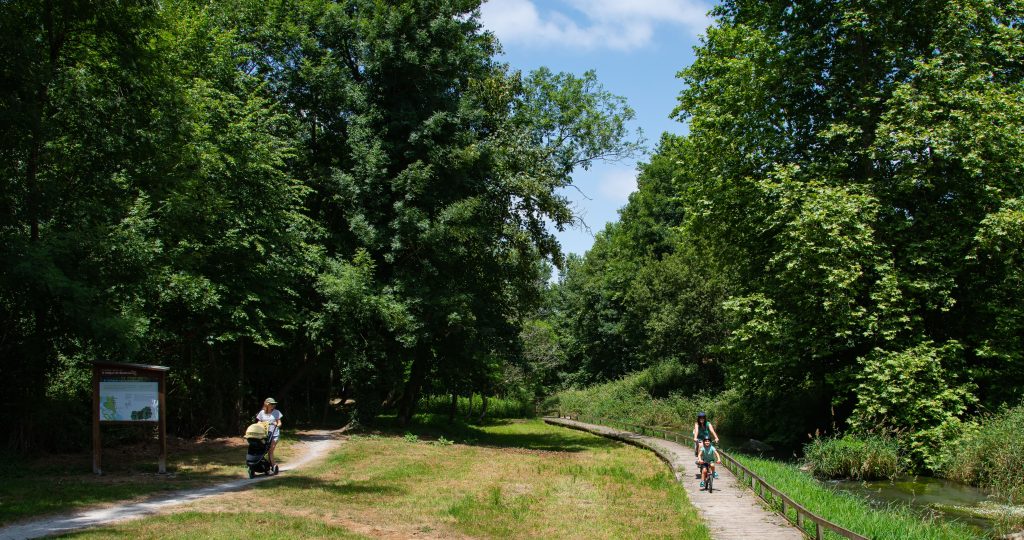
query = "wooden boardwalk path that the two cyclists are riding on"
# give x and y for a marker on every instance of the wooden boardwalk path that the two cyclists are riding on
(733, 512)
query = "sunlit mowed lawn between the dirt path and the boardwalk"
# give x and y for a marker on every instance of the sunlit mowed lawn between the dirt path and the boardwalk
(503, 480)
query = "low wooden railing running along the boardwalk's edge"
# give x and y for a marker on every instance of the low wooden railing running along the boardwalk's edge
(781, 503)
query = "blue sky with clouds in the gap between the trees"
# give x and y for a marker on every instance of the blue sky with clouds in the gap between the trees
(636, 47)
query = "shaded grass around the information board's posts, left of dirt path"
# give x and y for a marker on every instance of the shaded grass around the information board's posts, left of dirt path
(51, 484)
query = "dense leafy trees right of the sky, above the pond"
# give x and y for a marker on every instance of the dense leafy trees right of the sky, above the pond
(839, 236)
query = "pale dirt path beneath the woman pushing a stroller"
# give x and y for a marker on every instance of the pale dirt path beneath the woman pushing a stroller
(313, 446)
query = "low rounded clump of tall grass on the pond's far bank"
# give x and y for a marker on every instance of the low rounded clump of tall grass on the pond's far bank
(854, 456)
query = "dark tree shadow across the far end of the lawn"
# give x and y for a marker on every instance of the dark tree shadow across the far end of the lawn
(432, 427)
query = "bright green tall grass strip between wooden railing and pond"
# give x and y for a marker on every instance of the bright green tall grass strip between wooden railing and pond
(851, 512)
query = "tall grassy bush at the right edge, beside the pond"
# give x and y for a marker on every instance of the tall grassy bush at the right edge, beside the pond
(989, 454)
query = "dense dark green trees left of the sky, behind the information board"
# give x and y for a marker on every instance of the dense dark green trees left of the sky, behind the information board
(309, 199)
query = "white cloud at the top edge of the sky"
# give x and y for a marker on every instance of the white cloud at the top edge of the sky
(604, 24)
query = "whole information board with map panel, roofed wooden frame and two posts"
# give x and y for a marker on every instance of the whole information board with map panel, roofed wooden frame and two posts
(129, 394)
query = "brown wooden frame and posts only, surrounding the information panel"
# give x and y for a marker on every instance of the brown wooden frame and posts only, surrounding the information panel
(113, 371)
